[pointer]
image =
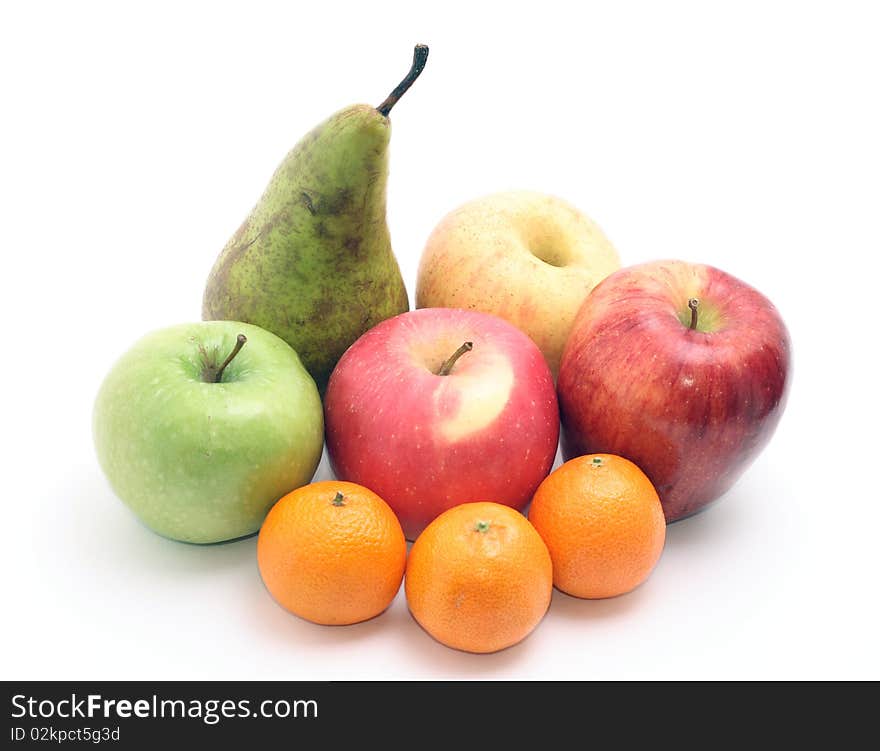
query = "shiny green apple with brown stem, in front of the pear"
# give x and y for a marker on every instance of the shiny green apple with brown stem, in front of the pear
(201, 427)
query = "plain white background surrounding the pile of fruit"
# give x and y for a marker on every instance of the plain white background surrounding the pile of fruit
(740, 134)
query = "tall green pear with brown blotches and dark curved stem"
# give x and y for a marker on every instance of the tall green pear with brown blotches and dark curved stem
(312, 263)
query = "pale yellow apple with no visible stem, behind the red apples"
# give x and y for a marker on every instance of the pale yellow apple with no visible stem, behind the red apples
(527, 257)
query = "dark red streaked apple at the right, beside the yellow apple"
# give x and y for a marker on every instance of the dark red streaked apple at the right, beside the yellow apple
(681, 368)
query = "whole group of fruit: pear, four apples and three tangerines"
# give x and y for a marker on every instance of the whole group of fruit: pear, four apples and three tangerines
(441, 423)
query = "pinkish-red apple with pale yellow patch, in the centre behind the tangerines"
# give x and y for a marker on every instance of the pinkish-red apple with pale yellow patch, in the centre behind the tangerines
(438, 407)
